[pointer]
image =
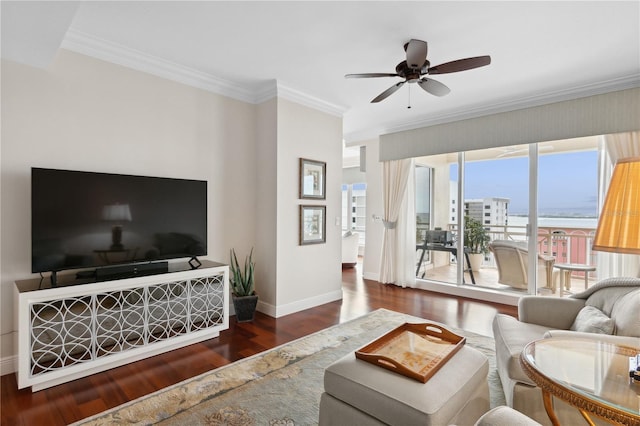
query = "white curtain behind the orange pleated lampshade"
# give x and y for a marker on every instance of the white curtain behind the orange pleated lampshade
(617, 146)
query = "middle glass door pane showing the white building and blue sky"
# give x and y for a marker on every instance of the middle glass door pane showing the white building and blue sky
(496, 212)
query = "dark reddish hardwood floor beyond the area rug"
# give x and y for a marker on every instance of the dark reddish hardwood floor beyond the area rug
(84, 397)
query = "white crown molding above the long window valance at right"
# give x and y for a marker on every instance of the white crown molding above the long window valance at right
(583, 91)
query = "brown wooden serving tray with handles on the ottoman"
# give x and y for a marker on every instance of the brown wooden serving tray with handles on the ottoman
(413, 350)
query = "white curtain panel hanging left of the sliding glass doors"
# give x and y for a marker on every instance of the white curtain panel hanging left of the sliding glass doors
(399, 240)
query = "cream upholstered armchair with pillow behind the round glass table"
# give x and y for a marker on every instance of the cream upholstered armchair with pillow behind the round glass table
(610, 306)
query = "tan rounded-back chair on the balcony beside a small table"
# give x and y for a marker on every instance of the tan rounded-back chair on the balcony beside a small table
(512, 261)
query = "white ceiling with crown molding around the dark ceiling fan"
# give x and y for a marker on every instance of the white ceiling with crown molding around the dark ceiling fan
(541, 51)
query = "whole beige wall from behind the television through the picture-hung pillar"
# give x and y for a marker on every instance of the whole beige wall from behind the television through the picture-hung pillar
(86, 114)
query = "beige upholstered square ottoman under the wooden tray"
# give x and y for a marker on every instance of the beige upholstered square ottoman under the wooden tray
(359, 393)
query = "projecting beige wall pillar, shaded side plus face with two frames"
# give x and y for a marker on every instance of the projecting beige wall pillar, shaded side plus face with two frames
(291, 277)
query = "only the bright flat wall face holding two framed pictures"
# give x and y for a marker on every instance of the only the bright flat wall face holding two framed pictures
(307, 275)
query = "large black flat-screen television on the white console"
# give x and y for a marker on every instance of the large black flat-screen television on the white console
(86, 220)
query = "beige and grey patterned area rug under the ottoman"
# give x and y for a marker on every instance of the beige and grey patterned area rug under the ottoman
(281, 386)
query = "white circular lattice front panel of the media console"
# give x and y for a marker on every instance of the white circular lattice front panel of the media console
(81, 329)
